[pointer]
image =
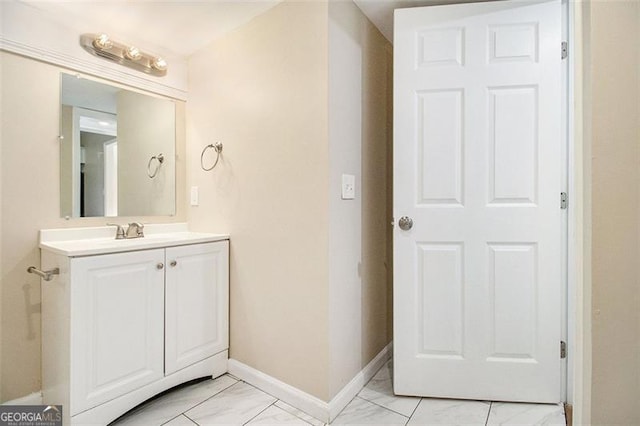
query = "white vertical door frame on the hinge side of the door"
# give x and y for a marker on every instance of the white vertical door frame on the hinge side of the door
(578, 306)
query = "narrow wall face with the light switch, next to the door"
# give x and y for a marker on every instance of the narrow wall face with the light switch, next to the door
(358, 143)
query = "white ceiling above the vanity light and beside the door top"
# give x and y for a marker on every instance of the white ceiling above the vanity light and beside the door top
(184, 27)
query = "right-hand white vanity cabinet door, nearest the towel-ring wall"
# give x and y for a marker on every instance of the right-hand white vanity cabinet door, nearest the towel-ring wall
(197, 300)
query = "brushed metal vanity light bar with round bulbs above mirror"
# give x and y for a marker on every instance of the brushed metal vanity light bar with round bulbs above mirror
(103, 46)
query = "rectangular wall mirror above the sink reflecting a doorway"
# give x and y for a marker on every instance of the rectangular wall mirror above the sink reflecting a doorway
(109, 136)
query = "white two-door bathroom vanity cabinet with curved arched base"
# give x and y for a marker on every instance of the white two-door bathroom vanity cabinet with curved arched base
(119, 328)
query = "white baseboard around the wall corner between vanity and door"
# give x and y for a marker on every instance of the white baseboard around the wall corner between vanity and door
(301, 400)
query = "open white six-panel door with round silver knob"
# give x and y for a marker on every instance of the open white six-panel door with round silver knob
(477, 167)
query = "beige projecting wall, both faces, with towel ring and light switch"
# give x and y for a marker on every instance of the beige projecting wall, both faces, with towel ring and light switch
(297, 97)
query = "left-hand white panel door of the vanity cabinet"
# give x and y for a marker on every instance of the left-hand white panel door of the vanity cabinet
(117, 310)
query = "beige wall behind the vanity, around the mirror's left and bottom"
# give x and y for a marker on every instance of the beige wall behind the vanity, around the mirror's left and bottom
(29, 202)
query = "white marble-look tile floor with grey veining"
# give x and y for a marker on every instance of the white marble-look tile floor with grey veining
(229, 401)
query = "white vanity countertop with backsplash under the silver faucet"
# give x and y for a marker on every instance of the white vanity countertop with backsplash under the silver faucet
(74, 242)
